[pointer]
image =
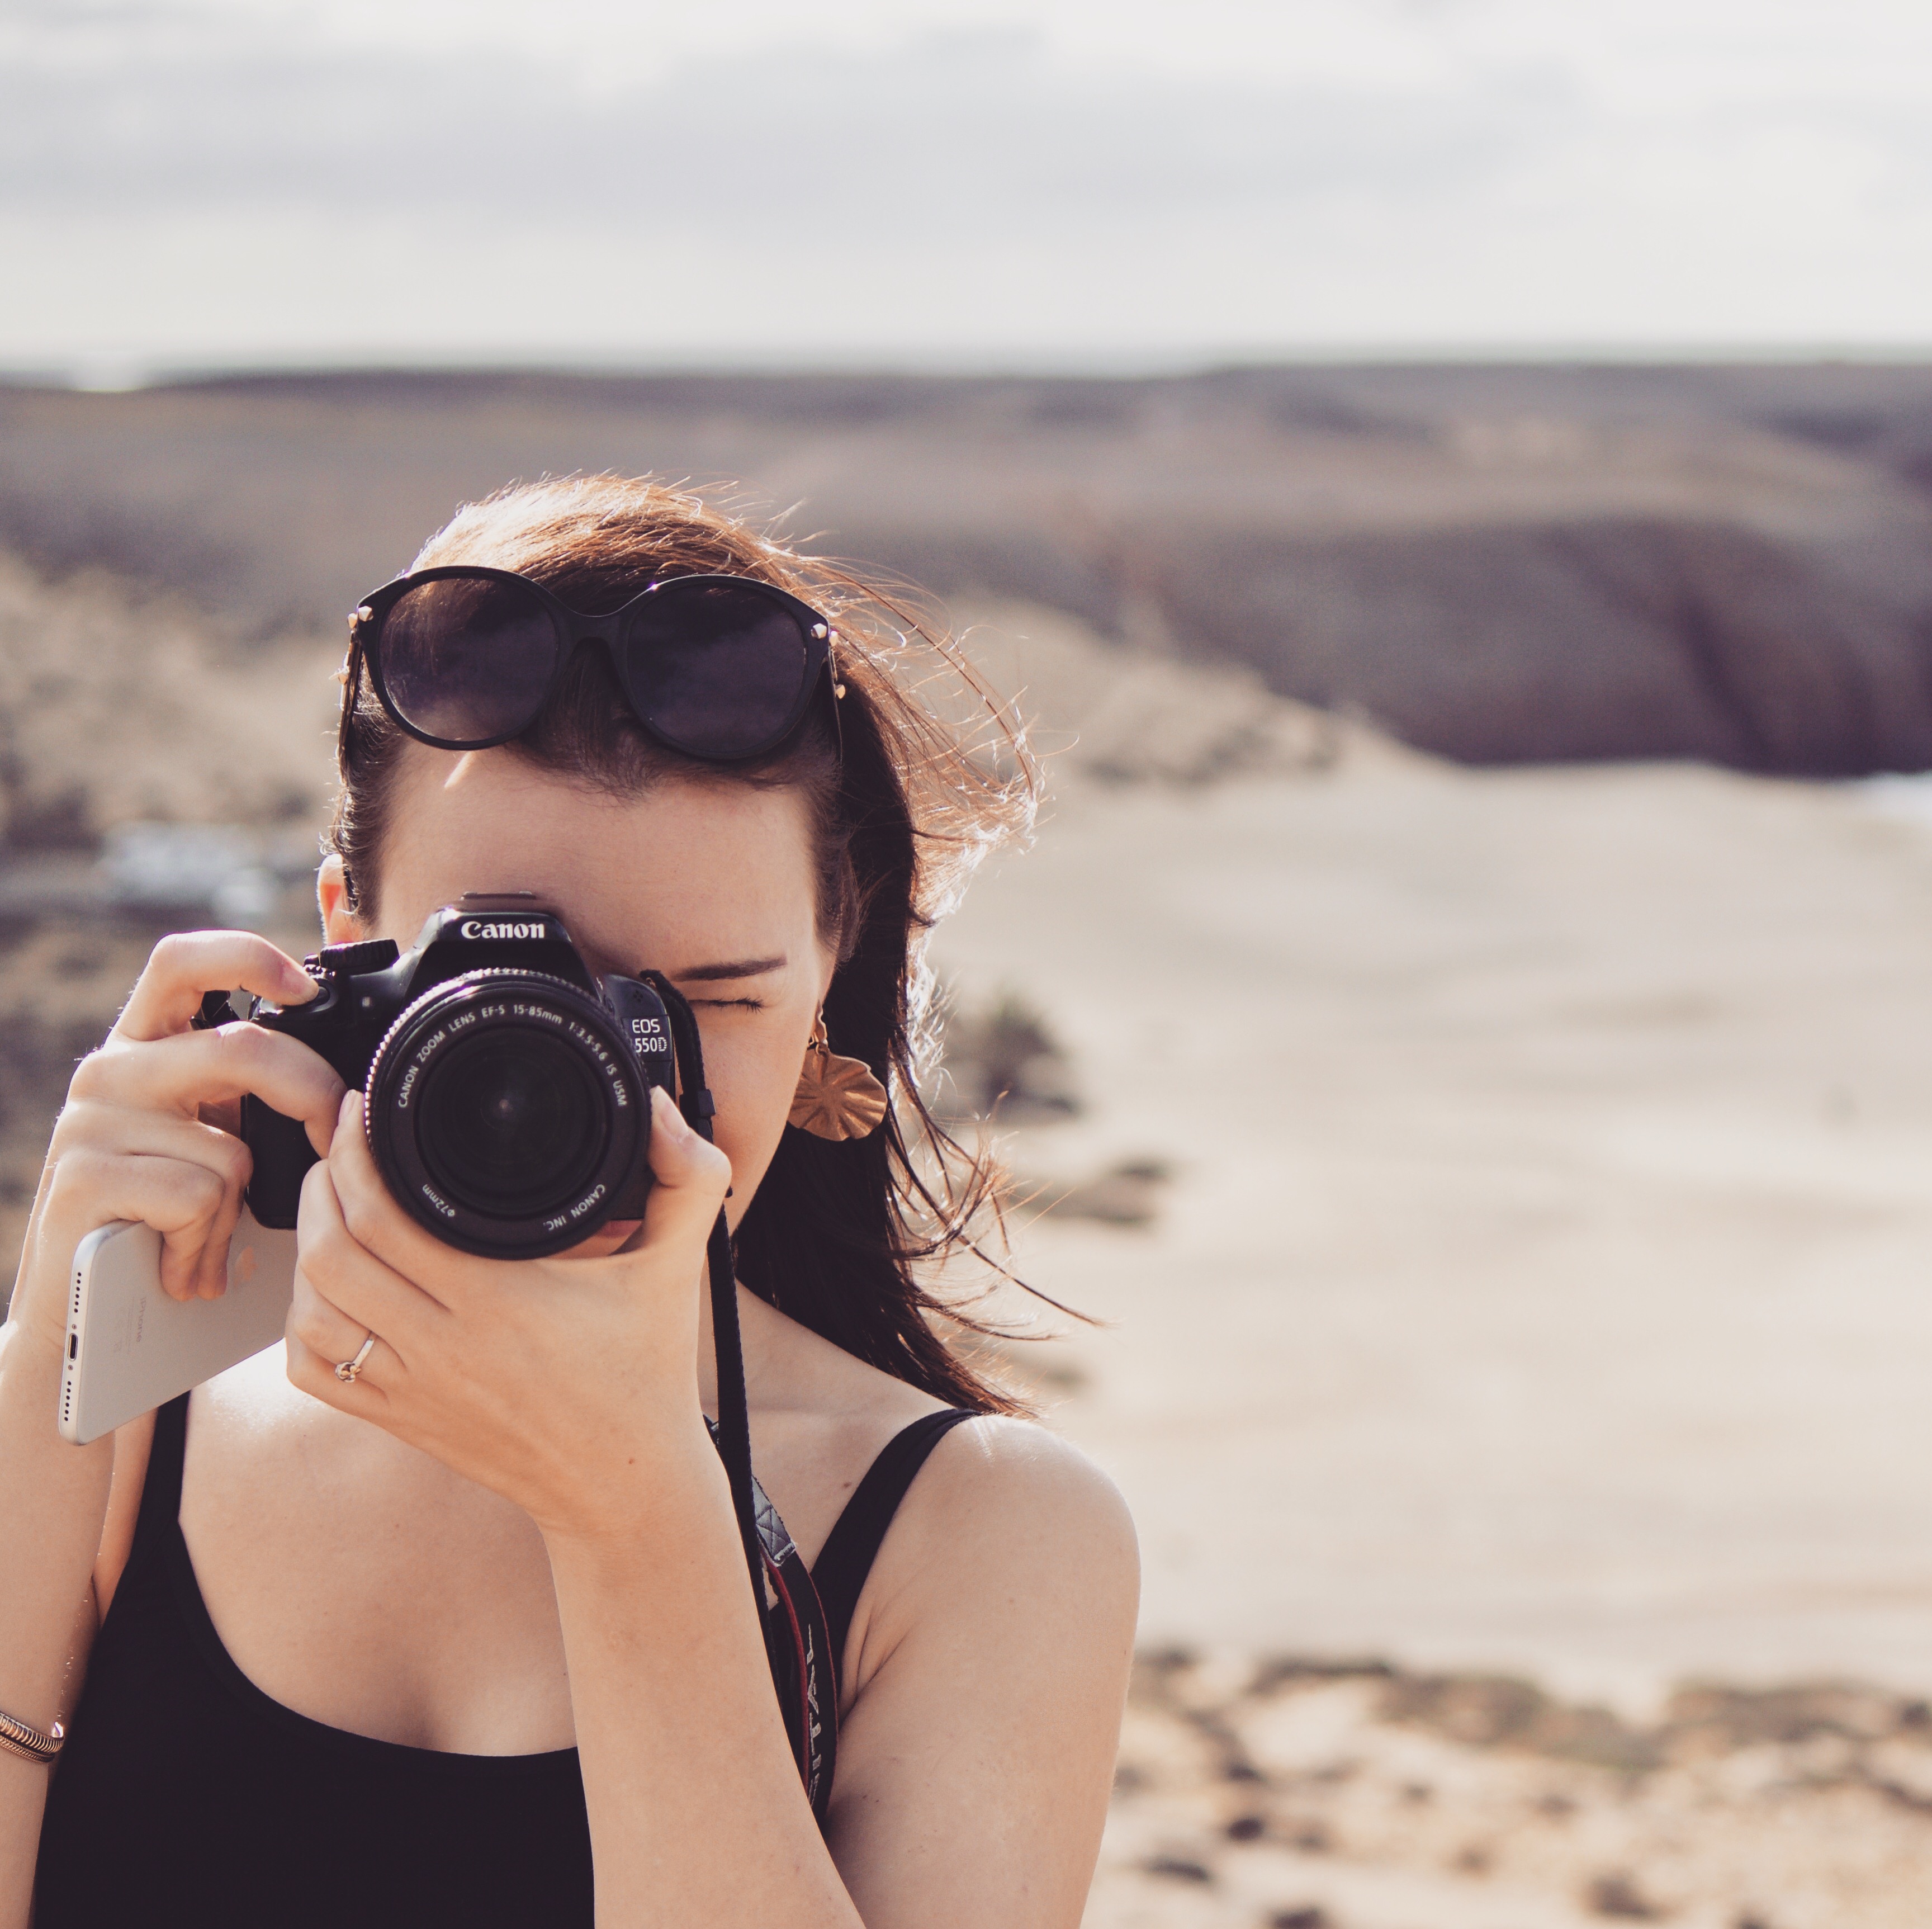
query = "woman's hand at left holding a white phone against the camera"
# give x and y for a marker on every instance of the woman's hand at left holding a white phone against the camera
(148, 1132)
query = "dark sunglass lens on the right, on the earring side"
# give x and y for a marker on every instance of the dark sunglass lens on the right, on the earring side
(718, 670)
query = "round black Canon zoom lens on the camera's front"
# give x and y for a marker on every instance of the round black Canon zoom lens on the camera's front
(507, 1114)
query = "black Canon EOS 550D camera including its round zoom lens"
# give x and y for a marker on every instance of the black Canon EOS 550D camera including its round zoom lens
(507, 1091)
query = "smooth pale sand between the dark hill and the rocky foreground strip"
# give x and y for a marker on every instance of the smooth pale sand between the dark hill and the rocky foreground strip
(1543, 1277)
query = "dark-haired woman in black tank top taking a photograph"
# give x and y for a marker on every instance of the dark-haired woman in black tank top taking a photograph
(451, 1619)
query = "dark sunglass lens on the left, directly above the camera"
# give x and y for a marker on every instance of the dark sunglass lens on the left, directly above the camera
(469, 658)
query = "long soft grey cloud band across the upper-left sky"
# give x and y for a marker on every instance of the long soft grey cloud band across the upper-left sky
(973, 130)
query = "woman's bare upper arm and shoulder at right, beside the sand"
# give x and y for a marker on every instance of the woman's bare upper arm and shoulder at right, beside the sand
(990, 1673)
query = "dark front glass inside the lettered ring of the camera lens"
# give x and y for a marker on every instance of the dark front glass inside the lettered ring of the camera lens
(513, 1122)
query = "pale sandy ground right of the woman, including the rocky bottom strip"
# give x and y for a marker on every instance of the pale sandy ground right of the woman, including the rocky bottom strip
(1539, 1292)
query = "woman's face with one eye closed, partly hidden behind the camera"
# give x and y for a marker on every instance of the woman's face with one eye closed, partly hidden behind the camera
(710, 884)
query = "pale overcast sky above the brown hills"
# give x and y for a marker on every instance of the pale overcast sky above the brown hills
(957, 183)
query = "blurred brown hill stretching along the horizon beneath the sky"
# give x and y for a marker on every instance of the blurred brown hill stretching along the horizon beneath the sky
(1492, 563)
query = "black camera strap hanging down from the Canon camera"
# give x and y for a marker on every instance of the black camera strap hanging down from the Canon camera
(789, 1611)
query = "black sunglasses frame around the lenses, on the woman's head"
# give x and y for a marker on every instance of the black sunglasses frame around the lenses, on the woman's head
(573, 631)
